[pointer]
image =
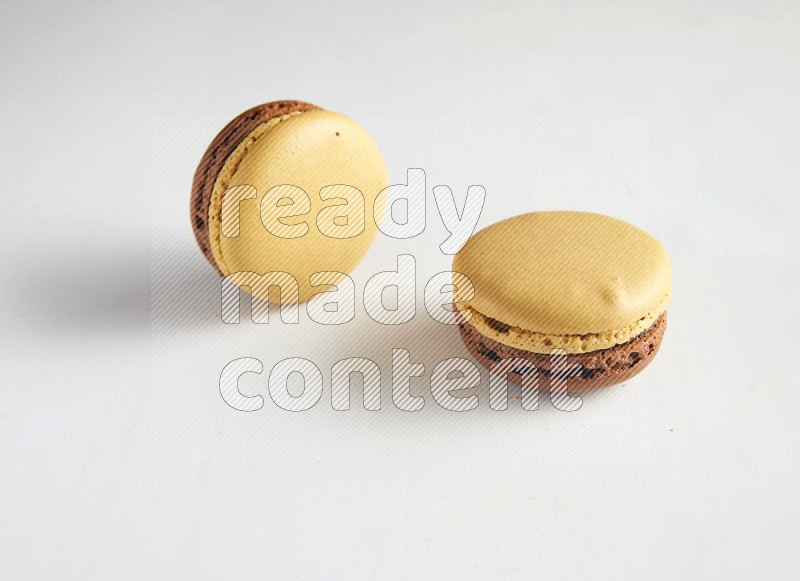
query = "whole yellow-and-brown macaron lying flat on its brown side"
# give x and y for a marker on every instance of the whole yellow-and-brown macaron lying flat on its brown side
(586, 285)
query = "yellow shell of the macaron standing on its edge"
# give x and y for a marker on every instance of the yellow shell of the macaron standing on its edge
(310, 150)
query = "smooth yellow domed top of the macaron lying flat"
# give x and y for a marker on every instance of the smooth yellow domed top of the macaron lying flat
(566, 274)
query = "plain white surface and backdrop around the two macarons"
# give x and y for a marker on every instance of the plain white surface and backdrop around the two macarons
(118, 457)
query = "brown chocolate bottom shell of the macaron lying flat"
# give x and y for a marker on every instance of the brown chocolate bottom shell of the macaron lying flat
(596, 368)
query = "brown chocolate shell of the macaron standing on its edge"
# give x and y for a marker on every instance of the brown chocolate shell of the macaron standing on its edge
(216, 155)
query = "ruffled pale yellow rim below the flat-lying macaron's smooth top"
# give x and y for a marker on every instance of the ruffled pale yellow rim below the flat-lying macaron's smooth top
(544, 343)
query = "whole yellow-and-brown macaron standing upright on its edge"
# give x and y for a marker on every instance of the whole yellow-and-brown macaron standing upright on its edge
(288, 187)
